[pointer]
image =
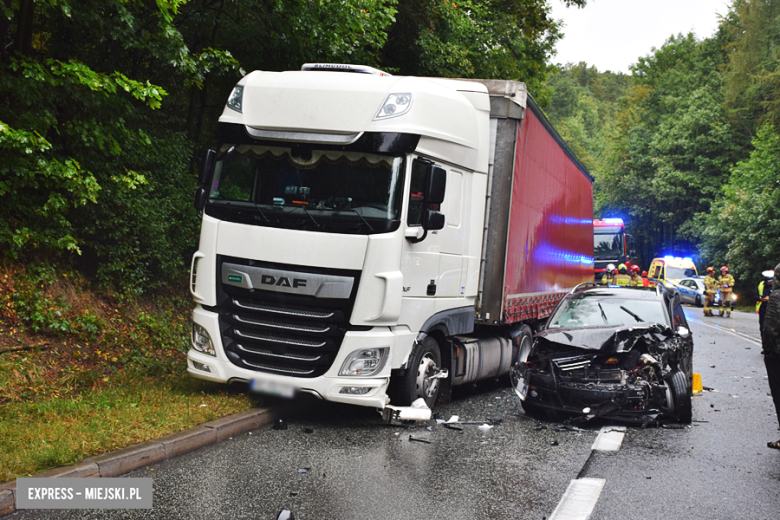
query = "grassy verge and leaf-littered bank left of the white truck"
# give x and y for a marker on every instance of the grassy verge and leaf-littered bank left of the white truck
(83, 372)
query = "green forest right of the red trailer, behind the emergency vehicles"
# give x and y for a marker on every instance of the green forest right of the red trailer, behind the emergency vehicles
(686, 147)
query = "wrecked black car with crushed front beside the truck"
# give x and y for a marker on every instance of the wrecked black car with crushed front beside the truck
(615, 352)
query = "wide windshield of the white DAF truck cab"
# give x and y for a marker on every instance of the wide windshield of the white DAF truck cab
(323, 190)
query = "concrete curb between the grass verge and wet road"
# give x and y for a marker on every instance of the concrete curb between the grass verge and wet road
(119, 462)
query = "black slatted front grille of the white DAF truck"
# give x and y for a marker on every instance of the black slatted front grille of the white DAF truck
(291, 334)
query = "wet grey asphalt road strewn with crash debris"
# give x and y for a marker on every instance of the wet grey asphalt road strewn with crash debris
(336, 462)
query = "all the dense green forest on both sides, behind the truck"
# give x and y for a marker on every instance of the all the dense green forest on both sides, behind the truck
(106, 106)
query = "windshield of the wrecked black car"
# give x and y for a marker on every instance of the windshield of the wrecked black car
(591, 309)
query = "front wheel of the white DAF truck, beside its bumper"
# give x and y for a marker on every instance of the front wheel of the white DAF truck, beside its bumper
(423, 362)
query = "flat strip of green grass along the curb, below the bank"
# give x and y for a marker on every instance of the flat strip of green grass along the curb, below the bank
(62, 431)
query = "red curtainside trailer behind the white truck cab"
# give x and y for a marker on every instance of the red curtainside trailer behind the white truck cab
(538, 242)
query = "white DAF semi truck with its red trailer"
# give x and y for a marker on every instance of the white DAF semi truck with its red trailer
(376, 240)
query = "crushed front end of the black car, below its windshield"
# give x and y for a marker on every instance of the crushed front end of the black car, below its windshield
(633, 373)
